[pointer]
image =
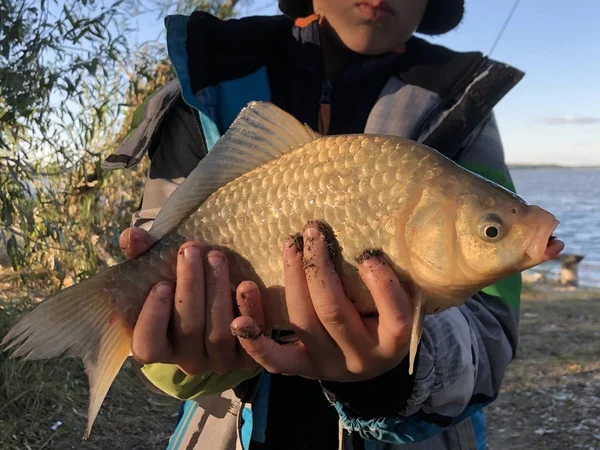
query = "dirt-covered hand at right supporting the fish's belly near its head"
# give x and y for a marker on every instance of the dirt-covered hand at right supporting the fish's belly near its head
(336, 342)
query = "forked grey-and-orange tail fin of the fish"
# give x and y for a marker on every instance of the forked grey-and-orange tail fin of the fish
(80, 321)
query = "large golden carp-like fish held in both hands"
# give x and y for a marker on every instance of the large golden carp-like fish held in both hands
(444, 229)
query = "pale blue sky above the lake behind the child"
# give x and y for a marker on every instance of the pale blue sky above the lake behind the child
(553, 115)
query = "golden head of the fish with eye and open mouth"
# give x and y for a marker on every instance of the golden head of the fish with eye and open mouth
(470, 233)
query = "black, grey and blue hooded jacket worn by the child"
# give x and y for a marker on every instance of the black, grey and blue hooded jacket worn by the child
(428, 93)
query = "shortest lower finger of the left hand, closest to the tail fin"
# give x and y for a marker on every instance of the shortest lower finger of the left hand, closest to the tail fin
(150, 343)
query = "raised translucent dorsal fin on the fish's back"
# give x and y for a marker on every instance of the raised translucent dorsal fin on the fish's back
(259, 134)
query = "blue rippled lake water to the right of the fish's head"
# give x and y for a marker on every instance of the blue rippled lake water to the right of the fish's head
(573, 196)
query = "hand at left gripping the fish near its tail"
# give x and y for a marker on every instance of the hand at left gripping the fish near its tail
(189, 325)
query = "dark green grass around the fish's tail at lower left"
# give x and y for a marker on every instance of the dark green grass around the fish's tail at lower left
(43, 404)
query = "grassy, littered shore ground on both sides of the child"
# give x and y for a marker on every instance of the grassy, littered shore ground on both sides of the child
(550, 397)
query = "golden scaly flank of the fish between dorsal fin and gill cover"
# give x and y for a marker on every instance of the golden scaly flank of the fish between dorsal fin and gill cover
(331, 179)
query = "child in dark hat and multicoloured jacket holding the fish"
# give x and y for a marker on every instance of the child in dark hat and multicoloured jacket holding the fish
(341, 67)
